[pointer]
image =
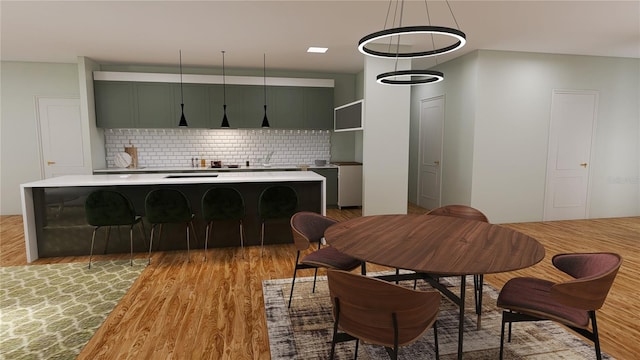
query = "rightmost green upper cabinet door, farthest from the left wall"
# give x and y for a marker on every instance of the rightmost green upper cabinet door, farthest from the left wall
(318, 104)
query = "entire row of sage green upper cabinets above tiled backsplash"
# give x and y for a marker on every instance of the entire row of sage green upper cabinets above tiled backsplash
(129, 104)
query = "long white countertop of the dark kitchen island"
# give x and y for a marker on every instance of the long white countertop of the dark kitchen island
(165, 178)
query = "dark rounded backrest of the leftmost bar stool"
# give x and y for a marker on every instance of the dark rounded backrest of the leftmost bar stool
(109, 208)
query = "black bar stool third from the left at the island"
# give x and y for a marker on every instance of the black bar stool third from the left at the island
(222, 204)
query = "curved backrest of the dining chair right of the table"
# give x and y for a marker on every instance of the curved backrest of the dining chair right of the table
(594, 274)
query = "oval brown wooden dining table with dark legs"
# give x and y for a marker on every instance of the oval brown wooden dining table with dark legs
(430, 244)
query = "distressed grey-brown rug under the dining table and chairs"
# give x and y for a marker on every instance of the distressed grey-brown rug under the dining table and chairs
(304, 331)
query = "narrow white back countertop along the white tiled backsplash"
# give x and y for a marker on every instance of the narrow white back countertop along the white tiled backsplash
(241, 168)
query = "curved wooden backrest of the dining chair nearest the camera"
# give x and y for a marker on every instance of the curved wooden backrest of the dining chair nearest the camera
(367, 306)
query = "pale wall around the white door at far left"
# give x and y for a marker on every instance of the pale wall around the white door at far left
(22, 83)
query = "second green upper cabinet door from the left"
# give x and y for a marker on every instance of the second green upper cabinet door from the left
(155, 106)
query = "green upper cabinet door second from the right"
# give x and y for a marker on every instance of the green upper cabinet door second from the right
(289, 112)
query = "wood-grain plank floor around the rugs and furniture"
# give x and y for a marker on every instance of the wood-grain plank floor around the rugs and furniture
(215, 309)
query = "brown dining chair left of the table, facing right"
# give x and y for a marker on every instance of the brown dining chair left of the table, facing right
(308, 228)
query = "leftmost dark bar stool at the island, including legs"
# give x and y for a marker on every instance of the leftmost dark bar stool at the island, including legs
(111, 208)
